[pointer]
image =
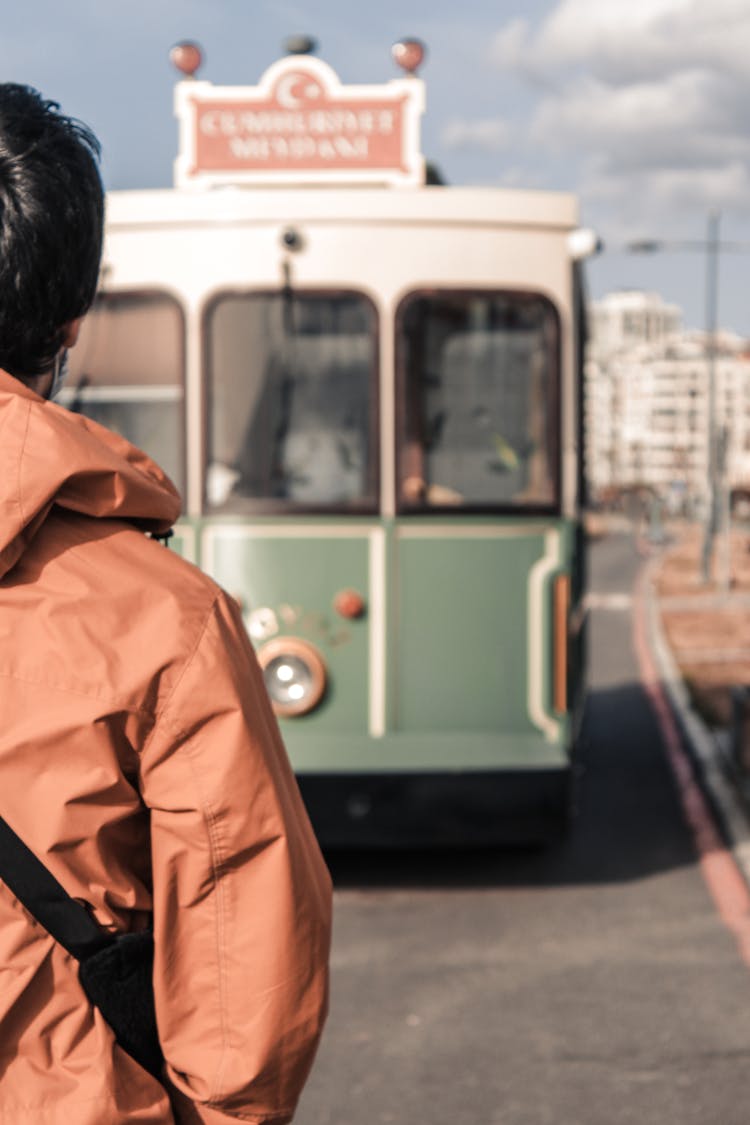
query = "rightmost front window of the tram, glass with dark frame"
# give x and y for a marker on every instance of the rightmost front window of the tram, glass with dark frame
(480, 401)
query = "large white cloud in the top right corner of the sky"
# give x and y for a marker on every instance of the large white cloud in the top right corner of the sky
(648, 96)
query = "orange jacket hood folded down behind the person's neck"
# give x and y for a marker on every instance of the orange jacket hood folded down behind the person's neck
(51, 457)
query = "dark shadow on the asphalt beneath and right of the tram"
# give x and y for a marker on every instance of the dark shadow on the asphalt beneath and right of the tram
(629, 824)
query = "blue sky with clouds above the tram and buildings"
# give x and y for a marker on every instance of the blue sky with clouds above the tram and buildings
(640, 107)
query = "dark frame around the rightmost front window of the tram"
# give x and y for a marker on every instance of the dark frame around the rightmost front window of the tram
(421, 508)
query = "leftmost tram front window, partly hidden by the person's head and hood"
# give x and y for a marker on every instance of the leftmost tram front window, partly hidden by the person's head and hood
(126, 372)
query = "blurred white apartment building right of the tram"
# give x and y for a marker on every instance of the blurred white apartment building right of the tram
(648, 403)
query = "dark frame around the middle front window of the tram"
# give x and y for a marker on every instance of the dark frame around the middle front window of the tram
(261, 507)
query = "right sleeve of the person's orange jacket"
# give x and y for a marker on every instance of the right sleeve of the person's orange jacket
(242, 897)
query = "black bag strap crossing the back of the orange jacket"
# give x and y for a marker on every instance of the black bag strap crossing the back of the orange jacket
(38, 889)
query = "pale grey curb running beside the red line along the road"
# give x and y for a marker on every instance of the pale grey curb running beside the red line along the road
(712, 760)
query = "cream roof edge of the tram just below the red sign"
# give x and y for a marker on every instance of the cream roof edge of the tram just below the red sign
(429, 205)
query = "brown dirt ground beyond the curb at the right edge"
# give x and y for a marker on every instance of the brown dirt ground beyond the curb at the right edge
(708, 625)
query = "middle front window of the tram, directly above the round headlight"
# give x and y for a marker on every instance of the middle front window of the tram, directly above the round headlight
(292, 402)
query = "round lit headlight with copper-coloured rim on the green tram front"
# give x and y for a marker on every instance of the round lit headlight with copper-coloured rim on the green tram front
(295, 676)
